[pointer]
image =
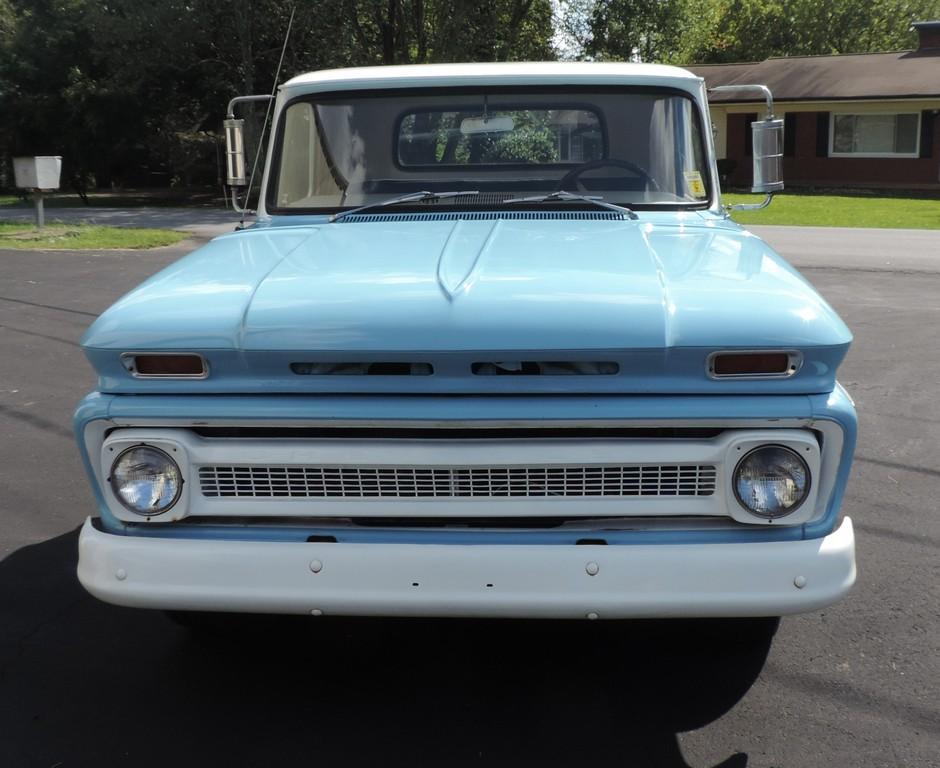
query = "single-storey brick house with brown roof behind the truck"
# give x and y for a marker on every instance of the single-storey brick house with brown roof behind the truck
(851, 120)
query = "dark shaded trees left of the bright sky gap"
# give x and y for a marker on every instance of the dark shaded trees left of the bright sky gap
(134, 93)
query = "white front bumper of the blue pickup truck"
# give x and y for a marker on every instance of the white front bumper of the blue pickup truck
(550, 581)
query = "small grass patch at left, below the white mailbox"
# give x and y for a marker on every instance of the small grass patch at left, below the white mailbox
(57, 236)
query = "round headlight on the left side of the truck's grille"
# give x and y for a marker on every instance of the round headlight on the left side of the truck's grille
(146, 480)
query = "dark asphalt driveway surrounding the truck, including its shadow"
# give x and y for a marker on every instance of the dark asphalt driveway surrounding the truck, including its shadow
(86, 684)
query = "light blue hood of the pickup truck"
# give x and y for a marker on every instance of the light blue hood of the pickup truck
(656, 298)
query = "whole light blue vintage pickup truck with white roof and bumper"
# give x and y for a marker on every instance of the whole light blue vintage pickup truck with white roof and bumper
(492, 348)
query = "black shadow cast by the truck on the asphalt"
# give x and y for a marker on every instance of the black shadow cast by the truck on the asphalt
(87, 684)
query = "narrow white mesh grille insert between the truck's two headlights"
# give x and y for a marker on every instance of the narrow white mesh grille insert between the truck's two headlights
(452, 482)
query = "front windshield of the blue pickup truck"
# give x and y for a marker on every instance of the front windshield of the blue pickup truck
(628, 146)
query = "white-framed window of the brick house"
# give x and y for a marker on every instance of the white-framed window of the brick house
(875, 135)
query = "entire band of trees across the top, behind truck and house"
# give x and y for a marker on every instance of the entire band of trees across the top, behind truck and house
(133, 93)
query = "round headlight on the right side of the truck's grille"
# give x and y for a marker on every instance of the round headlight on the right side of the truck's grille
(771, 481)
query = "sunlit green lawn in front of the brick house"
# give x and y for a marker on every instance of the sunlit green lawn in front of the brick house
(840, 211)
